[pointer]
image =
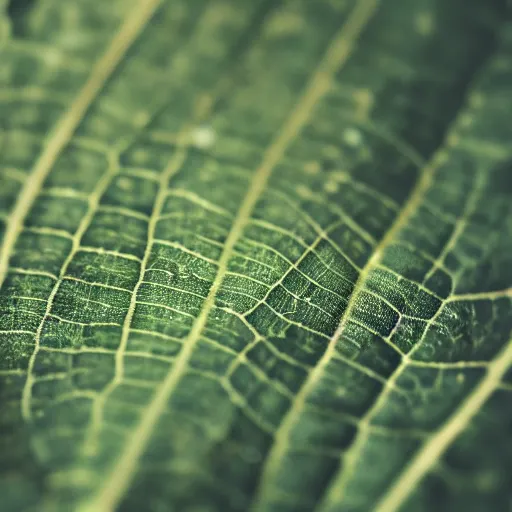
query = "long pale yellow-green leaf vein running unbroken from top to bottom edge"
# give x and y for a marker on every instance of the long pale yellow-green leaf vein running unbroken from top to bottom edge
(117, 482)
